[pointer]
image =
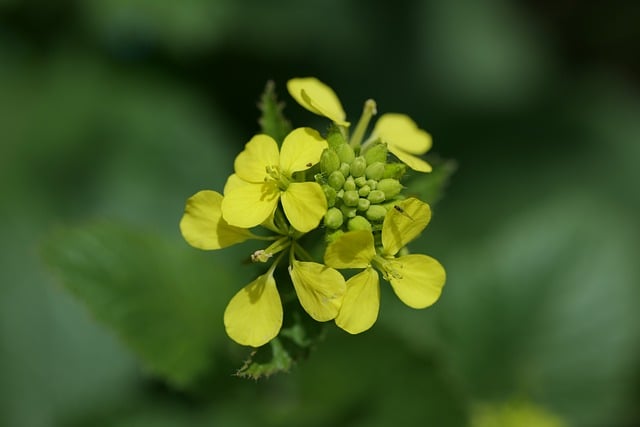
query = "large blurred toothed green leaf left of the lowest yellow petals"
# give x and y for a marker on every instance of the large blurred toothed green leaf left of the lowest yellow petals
(149, 291)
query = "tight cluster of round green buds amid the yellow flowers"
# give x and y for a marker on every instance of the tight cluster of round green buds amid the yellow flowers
(359, 185)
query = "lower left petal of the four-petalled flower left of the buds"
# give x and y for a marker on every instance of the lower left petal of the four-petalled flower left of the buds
(251, 204)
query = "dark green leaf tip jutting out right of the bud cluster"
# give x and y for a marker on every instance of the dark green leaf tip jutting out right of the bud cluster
(430, 187)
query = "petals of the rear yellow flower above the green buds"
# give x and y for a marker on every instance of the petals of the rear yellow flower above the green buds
(401, 134)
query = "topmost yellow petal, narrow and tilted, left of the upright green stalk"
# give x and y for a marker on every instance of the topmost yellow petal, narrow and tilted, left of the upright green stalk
(318, 98)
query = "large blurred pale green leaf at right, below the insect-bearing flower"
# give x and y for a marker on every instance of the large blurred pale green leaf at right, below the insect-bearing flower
(544, 309)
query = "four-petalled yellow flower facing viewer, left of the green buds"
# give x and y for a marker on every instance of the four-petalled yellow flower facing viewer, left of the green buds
(266, 177)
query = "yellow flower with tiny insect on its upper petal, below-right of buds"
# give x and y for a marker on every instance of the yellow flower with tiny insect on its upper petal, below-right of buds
(416, 279)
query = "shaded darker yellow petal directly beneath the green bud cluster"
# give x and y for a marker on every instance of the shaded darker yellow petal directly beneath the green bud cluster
(354, 249)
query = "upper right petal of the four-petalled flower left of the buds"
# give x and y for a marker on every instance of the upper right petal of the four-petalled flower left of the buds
(300, 150)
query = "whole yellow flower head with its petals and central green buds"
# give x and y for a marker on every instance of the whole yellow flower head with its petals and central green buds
(346, 185)
